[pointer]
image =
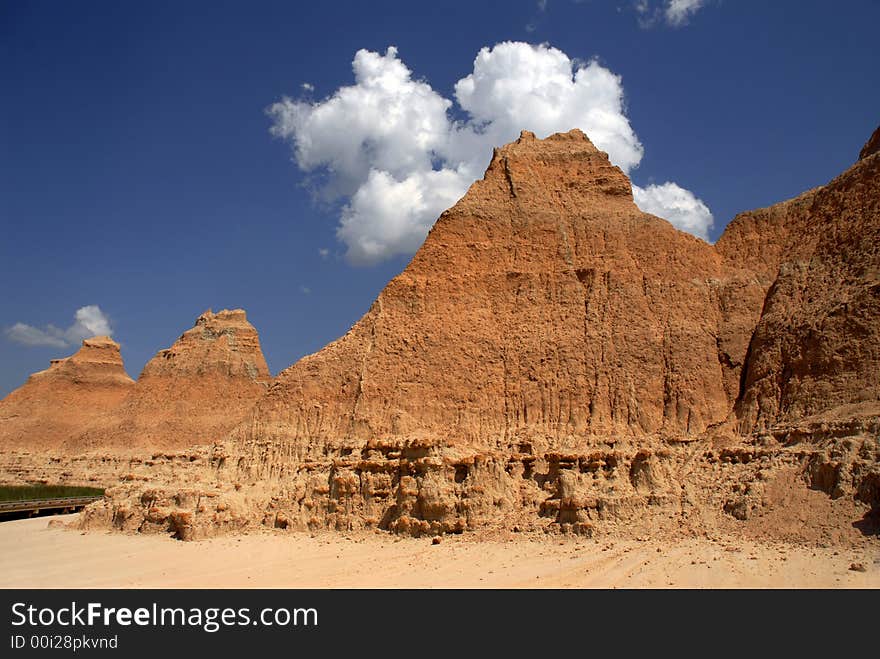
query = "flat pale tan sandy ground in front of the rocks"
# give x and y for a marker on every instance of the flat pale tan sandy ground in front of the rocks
(34, 555)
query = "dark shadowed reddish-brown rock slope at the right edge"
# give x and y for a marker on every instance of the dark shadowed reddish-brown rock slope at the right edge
(816, 348)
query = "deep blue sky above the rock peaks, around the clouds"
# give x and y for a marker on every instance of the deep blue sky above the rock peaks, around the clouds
(138, 173)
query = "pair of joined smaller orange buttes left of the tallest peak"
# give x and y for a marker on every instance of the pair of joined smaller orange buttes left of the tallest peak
(192, 393)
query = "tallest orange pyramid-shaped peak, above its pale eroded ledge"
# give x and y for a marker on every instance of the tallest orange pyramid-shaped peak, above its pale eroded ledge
(543, 307)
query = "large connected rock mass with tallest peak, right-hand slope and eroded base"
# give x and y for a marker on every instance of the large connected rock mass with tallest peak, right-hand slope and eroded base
(553, 358)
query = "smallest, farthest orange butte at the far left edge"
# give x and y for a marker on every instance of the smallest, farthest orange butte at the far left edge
(72, 394)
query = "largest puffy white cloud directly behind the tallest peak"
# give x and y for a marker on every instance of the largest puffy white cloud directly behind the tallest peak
(388, 148)
